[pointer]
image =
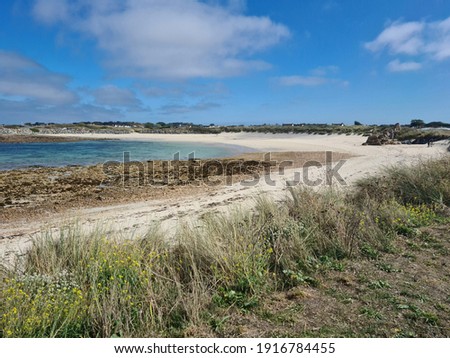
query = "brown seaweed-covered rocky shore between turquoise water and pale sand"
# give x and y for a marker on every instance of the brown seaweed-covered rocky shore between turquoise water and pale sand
(37, 192)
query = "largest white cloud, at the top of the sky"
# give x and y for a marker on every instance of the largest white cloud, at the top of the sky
(170, 39)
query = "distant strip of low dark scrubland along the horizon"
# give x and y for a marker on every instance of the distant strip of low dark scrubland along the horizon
(433, 131)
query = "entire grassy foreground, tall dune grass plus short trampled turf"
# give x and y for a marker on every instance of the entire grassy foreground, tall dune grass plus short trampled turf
(373, 261)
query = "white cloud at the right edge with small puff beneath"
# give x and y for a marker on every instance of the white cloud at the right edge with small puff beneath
(430, 40)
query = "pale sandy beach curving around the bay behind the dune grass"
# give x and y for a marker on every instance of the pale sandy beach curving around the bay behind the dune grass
(134, 218)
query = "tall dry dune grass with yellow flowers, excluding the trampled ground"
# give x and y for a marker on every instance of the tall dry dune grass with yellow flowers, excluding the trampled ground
(97, 285)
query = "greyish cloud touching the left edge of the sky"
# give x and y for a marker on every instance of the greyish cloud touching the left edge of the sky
(21, 77)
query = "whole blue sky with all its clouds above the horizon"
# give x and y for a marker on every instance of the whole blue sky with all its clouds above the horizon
(224, 61)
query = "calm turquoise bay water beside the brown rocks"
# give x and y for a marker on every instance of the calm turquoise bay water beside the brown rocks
(22, 155)
